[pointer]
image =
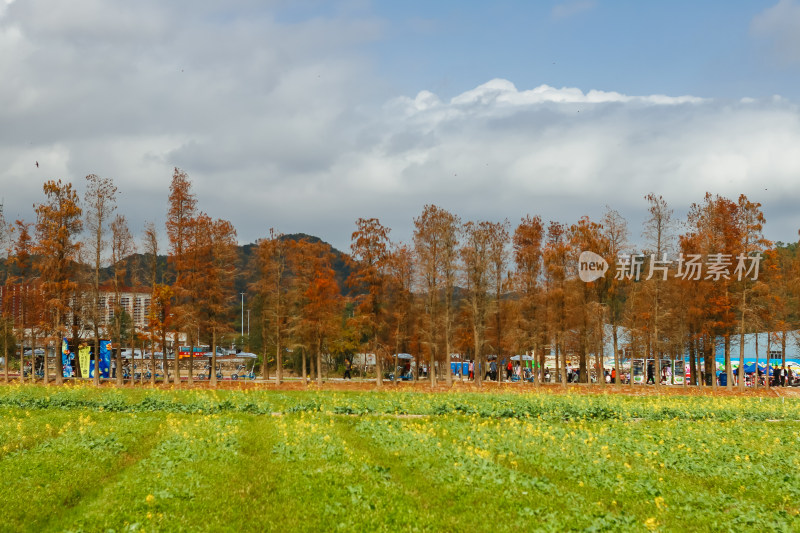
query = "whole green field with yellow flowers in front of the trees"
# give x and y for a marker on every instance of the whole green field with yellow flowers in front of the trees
(81, 459)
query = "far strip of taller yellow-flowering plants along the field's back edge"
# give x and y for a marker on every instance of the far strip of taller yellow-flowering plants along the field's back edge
(520, 406)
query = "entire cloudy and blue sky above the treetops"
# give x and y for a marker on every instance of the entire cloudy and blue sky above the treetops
(305, 115)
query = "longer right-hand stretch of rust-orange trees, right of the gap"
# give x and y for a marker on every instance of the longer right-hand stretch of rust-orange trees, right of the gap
(479, 288)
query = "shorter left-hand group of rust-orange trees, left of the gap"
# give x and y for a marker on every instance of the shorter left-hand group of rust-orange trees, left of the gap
(53, 273)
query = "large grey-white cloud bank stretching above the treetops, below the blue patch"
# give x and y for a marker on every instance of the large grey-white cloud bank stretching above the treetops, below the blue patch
(282, 123)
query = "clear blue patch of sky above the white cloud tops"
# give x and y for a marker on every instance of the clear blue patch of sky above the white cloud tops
(701, 48)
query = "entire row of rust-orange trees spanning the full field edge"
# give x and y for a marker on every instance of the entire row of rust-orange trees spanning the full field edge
(476, 288)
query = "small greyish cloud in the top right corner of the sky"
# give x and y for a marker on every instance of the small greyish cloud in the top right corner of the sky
(779, 25)
